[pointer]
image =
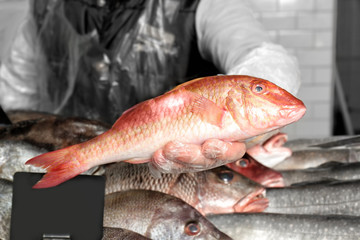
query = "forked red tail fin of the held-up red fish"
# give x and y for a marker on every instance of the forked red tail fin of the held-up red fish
(60, 165)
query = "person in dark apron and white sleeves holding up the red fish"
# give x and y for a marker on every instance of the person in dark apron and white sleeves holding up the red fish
(97, 58)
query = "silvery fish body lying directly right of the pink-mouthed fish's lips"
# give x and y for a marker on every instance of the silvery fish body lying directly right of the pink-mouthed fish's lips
(320, 198)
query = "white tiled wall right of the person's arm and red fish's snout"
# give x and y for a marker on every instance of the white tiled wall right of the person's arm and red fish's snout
(306, 28)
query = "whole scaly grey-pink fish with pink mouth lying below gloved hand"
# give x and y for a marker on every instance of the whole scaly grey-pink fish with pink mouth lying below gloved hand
(218, 190)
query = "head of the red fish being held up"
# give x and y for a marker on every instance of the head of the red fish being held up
(259, 106)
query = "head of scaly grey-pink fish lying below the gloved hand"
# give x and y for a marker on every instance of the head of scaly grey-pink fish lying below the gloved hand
(226, 191)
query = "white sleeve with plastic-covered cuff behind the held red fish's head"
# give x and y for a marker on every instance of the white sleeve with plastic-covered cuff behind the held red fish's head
(230, 36)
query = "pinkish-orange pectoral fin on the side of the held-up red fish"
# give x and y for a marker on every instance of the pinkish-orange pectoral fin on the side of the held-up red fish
(206, 109)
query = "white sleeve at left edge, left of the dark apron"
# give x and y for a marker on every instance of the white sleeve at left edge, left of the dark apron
(20, 70)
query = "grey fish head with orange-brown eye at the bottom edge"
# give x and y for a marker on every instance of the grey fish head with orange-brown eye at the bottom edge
(178, 220)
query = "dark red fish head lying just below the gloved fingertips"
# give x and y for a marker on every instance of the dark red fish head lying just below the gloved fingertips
(257, 172)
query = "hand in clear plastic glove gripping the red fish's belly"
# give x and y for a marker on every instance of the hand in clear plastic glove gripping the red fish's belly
(178, 157)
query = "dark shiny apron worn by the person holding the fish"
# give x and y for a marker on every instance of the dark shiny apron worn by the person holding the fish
(102, 57)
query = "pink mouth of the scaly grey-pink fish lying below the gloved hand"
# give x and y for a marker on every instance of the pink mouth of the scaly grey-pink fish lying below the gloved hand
(253, 202)
